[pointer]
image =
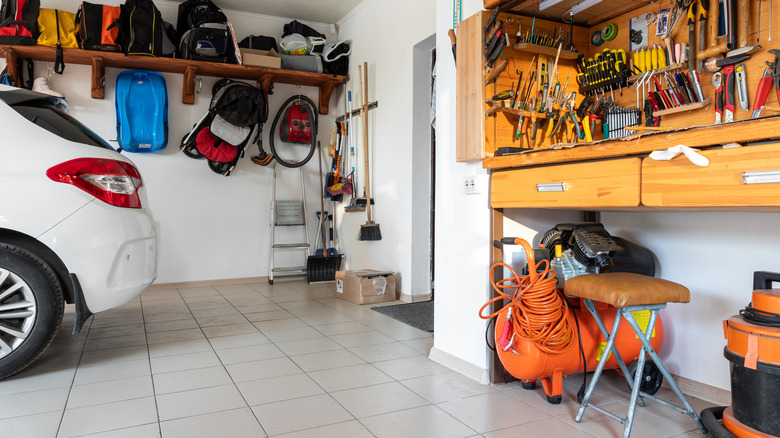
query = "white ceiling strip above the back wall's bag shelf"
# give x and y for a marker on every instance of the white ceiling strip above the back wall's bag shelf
(321, 11)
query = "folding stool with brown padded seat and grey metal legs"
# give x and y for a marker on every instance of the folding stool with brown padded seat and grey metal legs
(630, 293)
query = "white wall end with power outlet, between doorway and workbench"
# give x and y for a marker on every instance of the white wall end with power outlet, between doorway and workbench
(462, 225)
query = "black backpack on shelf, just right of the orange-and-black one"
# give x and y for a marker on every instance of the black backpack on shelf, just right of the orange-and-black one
(141, 28)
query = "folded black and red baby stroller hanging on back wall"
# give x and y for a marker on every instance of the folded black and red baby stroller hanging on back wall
(237, 112)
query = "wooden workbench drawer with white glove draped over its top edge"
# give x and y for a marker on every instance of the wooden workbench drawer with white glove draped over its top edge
(735, 177)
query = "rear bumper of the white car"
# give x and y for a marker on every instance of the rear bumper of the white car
(112, 250)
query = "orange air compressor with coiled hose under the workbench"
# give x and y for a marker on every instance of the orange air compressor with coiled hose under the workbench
(540, 334)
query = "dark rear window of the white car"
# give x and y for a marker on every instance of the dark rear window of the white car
(59, 123)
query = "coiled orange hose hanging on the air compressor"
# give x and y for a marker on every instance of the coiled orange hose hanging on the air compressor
(538, 311)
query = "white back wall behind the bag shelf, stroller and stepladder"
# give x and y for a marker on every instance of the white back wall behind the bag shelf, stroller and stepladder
(211, 227)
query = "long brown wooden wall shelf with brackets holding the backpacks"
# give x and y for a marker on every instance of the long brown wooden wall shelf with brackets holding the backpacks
(190, 69)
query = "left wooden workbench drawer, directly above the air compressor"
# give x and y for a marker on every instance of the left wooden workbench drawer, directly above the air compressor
(598, 184)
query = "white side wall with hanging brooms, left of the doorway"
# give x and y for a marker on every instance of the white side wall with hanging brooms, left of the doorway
(384, 35)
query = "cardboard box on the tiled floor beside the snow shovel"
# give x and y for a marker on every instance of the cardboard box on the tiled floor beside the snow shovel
(366, 286)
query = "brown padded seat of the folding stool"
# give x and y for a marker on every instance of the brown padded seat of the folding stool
(623, 289)
